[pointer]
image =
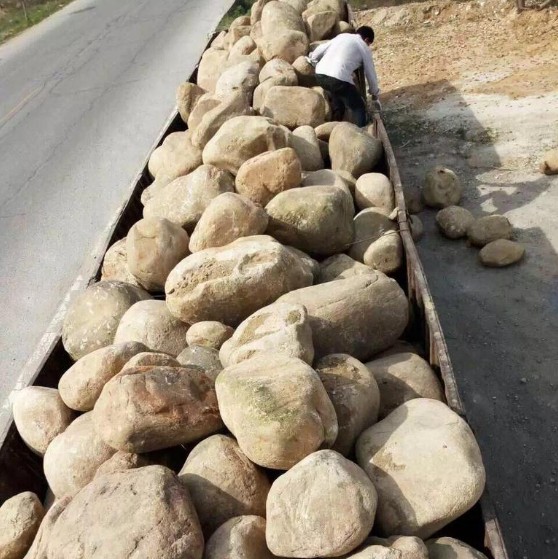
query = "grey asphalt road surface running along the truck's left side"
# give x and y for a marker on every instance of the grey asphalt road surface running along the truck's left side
(83, 96)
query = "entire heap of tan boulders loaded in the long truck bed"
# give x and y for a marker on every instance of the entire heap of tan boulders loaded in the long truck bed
(240, 389)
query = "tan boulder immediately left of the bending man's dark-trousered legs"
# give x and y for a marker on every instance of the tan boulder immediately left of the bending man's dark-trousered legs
(294, 106)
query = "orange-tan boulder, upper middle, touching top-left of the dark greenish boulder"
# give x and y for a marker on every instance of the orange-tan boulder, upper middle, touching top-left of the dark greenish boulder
(266, 175)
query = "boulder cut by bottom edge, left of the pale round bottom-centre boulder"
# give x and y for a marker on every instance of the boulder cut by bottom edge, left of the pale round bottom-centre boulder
(242, 537)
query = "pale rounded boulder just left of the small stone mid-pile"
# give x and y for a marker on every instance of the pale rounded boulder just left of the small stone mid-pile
(150, 323)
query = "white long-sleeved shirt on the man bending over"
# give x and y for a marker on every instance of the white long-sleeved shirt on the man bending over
(344, 54)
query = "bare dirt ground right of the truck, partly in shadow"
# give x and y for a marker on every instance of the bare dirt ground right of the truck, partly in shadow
(474, 86)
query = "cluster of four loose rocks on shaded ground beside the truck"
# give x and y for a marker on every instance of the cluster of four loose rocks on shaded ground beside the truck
(491, 233)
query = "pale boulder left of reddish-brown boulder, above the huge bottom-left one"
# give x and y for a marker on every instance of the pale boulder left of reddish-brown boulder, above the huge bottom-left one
(73, 457)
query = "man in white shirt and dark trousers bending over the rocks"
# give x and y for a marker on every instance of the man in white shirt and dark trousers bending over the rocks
(335, 63)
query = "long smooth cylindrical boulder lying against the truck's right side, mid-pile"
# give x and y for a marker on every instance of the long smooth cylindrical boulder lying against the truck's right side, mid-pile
(359, 316)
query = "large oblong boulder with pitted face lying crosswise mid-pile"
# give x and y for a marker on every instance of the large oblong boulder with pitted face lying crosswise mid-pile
(230, 283)
